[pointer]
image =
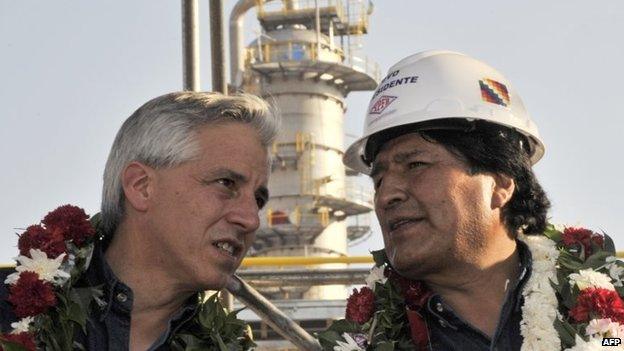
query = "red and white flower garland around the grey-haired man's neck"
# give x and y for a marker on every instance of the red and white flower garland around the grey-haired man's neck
(51, 305)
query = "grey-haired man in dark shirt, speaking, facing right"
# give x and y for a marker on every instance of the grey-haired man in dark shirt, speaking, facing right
(184, 182)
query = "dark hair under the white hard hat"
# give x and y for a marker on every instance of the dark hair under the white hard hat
(489, 148)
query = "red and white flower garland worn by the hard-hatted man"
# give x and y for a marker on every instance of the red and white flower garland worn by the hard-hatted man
(572, 300)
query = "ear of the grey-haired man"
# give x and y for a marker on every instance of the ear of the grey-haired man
(136, 180)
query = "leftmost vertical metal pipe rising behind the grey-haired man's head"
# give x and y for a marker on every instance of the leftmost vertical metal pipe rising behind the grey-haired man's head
(190, 45)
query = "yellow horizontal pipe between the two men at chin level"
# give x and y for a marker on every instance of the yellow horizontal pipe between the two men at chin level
(302, 260)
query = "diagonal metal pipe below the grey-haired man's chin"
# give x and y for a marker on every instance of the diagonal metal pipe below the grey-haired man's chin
(283, 325)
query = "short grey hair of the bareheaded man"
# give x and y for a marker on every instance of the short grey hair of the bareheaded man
(161, 134)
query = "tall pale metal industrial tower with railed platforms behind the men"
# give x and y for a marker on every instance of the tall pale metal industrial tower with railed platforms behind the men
(305, 62)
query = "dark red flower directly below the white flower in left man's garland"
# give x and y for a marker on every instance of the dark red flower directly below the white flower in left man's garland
(30, 295)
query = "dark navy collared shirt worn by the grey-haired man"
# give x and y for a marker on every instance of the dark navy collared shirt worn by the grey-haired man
(108, 326)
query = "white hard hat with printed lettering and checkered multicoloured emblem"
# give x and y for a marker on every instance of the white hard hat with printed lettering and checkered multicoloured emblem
(440, 90)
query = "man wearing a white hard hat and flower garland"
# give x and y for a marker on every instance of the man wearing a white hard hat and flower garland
(449, 147)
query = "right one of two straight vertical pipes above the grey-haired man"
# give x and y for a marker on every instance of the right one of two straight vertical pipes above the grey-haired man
(216, 46)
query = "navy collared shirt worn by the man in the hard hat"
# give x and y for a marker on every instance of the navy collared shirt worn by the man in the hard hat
(449, 332)
